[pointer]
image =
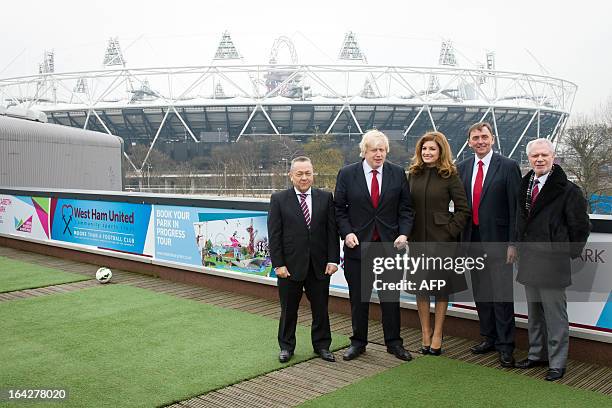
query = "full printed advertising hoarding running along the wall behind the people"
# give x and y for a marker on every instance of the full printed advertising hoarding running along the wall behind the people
(237, 241)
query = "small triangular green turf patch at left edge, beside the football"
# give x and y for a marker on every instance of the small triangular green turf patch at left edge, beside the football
(18, 275)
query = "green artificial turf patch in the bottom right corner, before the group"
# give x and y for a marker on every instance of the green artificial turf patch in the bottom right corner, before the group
(441, 382)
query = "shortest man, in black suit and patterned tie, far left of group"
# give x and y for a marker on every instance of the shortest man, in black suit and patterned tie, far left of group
(305, 251)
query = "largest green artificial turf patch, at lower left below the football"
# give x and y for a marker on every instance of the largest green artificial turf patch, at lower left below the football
(120, 346)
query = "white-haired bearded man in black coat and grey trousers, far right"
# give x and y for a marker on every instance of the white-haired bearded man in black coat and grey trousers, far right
(552, 228)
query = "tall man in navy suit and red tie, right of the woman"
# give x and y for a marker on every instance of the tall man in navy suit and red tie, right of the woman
(491, 183)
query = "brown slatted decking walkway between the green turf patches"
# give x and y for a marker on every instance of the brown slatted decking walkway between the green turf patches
(309, 379)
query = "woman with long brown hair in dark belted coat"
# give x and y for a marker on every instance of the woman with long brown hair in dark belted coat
(434, 183)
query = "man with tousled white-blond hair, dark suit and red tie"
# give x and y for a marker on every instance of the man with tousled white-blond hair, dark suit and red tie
(372, 205)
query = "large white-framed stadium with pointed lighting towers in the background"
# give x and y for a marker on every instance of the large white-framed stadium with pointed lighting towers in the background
(229, 100)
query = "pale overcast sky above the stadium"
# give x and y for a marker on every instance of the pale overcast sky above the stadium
(569, 40)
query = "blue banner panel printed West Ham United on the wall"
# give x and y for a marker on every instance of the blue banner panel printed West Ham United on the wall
(115, 226)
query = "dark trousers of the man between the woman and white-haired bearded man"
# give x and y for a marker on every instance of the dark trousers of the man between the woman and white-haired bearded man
(493, 289)
